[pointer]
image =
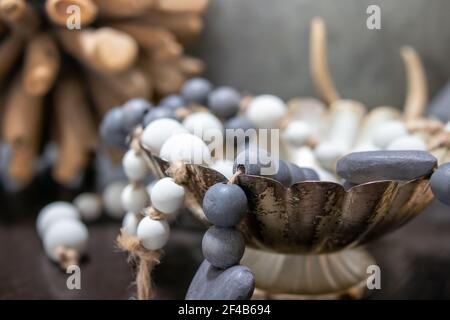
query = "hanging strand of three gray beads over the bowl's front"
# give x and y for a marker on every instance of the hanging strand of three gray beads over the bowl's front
(223, 246)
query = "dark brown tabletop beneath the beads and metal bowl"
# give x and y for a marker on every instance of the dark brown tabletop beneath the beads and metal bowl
(414, 261)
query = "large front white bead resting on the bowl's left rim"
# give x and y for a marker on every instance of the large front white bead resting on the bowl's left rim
(185, 147)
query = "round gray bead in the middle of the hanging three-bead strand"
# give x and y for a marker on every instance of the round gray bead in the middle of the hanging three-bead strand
(223, 247)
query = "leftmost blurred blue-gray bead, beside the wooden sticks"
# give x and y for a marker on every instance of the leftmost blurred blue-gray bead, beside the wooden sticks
(112, 131)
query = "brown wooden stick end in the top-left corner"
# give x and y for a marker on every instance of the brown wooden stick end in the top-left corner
(19, 15)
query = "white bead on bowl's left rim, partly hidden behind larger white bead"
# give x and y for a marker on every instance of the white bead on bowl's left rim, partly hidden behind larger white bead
(158, 131)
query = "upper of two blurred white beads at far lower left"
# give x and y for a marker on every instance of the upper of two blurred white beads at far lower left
(54, 212)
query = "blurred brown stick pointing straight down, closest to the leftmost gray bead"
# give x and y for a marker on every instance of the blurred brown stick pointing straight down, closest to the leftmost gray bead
(77, 136)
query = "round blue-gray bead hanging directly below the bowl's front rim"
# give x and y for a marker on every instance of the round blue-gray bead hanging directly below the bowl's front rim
(225, 204)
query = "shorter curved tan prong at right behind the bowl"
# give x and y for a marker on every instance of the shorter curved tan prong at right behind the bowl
(417, 93)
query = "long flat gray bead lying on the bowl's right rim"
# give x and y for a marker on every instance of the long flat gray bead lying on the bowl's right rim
(362, 167)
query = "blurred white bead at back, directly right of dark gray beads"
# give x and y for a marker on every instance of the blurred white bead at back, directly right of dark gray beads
(266, 111)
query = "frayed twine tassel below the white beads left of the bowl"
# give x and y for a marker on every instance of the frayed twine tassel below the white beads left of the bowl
(145, 259)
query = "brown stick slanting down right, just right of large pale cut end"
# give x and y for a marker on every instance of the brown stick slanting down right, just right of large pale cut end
(157, 41)
